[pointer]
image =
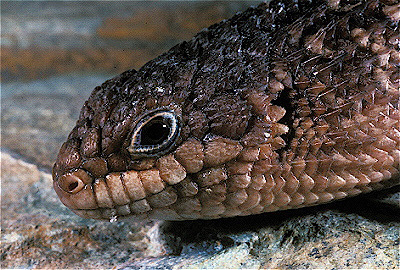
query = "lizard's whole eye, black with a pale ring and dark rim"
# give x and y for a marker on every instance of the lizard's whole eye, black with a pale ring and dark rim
(154, 134)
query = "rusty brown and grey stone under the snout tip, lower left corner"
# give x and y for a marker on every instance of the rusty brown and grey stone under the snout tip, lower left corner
(39, 232)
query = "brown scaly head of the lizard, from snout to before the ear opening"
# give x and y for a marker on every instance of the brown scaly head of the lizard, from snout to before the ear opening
(146, 148)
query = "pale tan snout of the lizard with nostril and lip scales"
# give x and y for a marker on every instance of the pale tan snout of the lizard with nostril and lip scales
(132, 194)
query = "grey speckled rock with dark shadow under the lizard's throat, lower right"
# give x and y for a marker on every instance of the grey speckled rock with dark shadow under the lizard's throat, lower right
(315, 238)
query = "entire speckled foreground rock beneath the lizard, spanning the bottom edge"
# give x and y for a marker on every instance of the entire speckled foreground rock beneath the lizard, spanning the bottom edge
(39, 232)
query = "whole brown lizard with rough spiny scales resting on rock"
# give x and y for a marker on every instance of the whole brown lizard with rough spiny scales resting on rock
(286, 105)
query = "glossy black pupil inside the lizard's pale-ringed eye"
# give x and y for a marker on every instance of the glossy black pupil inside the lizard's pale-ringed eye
(155, 132)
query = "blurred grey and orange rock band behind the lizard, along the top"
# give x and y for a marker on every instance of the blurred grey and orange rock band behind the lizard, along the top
(46, 38)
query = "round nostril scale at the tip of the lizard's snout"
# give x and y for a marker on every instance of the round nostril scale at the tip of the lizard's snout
(74, 182)
